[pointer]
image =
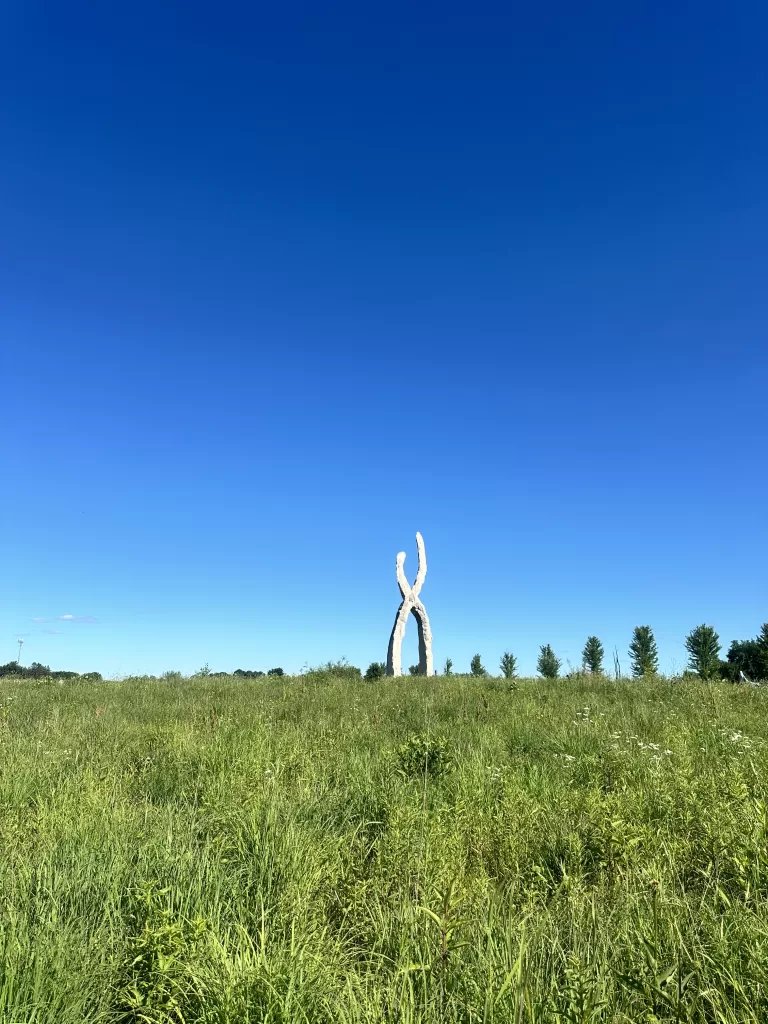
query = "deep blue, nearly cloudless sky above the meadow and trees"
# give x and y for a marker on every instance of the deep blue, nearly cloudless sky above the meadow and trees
(282, 284)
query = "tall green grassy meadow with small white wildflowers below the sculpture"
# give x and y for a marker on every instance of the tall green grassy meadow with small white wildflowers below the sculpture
(275, 851)
